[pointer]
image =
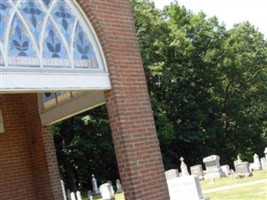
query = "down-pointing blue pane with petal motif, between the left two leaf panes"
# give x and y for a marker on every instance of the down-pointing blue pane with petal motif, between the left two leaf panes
(34, 15)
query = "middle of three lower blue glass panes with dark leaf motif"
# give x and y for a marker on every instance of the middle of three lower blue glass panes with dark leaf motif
(53, 46)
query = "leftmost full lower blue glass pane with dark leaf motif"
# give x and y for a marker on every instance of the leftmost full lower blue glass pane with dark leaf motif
(20, 44)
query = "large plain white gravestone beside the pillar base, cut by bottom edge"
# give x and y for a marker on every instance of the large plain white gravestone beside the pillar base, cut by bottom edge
(185, 188)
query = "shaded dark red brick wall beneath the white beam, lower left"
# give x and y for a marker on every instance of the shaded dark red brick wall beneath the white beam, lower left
(25, 171)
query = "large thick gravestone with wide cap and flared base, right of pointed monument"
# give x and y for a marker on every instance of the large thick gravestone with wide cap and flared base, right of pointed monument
(213, 168)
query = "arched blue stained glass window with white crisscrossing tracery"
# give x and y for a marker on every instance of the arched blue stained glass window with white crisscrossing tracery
(47, 34)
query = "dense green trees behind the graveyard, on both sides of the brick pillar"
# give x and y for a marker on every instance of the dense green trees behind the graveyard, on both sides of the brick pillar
(208, 88)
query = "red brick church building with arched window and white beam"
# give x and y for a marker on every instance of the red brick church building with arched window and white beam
(59, 58)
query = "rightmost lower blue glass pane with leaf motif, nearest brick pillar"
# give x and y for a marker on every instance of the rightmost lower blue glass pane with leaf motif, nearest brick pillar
(82, 47)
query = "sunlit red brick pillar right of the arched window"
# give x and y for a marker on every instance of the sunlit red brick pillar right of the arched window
(130, 114)
